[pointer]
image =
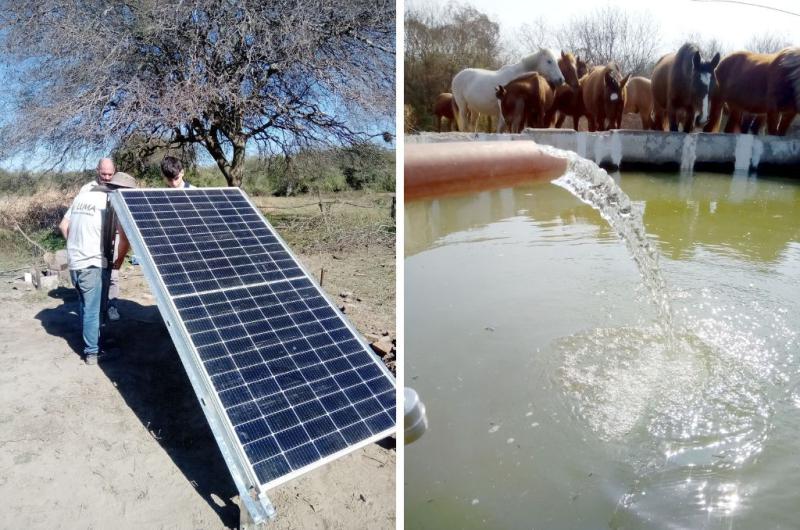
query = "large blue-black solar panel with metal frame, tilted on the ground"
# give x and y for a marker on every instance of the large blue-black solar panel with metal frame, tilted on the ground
(286, 382)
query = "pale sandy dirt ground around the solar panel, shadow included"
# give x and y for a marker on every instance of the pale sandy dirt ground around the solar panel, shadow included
(125, 444)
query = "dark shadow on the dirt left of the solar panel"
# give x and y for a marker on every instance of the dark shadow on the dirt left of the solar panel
(150, 377)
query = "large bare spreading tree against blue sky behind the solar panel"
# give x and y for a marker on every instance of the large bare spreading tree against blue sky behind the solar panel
(224, 75)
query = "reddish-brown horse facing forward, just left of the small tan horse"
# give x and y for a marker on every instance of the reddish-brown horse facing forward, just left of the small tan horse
(603, 96)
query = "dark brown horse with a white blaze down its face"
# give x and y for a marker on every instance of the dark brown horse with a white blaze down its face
(682, 83)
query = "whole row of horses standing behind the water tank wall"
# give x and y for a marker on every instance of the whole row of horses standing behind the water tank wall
(541, 90)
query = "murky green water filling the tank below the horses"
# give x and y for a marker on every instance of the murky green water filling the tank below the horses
(553, 399)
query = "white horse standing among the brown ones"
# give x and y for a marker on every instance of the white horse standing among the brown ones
(474, 88)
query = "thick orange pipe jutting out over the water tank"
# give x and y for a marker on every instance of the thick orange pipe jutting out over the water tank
(457, 167)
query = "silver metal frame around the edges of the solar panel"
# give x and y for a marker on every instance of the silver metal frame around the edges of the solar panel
(252, 493)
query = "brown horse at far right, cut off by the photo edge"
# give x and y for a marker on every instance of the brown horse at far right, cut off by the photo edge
(758, 84)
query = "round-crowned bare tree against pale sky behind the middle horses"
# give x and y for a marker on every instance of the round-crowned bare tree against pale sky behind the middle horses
(612, 34)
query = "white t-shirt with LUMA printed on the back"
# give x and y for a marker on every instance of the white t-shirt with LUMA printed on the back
(85, 240)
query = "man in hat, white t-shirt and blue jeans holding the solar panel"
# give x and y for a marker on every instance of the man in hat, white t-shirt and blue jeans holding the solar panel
(84, 226)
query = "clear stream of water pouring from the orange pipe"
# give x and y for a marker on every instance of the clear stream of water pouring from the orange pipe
(596, 188)
